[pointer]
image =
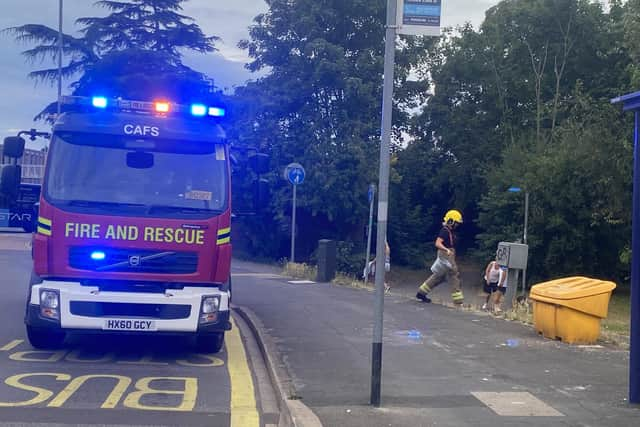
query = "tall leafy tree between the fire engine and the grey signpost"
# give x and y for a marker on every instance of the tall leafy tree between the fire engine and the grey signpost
(320, 106)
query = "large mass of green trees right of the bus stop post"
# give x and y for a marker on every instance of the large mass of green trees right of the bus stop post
(524, 100)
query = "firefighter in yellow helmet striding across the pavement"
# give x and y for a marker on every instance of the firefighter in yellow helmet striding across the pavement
(445, 267)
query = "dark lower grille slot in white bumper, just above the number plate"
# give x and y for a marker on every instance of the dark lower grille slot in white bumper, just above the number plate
(117, 309)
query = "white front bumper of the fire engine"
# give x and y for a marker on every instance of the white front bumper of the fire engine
(86, 309)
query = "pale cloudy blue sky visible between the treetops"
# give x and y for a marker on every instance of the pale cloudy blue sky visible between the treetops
(22, 99)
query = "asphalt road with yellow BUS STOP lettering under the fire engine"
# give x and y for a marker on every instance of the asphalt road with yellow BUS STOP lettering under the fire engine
(132, 381)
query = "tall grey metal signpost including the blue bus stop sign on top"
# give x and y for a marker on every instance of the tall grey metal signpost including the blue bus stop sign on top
(416, 18)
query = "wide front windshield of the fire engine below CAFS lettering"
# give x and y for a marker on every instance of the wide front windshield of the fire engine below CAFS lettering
(97, 172)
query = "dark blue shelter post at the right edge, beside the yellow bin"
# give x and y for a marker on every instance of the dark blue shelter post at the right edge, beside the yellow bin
(634, 353)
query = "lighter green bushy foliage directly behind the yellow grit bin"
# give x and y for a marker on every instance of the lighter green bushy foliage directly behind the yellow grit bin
(579, 217)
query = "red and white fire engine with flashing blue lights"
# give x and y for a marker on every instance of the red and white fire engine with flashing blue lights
(133, 231)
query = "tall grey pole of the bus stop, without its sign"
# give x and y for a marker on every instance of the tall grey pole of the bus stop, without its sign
(383, 200)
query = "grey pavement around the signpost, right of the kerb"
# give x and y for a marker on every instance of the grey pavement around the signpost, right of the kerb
(441, 366)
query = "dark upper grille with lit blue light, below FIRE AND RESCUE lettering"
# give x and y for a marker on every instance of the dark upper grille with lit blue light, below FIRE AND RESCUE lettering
(132, 260)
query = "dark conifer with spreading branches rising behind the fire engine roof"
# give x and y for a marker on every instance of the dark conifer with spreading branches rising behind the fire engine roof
(134, 51)
